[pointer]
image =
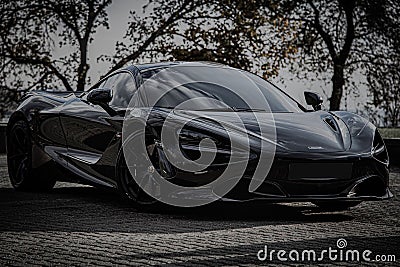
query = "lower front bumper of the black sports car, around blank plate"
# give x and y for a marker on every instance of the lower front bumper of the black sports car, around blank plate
(369, 180)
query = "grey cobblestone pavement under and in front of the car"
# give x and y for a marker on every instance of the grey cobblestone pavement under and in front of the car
(82, 225)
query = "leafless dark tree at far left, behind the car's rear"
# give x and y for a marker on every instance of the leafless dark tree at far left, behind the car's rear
(28, 30)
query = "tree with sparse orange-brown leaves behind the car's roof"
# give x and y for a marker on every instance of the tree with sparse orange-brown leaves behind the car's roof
(232, 32)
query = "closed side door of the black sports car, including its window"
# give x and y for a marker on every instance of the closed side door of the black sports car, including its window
(91, 133)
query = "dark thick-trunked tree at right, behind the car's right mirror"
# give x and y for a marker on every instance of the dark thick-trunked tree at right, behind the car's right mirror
(335, 36)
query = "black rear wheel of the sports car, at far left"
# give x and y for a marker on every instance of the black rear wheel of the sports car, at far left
(19, 160)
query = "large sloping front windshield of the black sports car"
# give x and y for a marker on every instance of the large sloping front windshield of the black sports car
(215, 88)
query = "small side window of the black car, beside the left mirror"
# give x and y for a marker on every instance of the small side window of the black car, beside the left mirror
(123, 87)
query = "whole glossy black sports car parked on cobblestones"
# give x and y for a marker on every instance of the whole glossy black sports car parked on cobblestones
(333, 159)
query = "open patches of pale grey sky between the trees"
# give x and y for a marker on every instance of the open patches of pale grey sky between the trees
(118, 12)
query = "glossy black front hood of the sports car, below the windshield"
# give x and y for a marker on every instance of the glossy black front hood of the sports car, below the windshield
(295, 132)
